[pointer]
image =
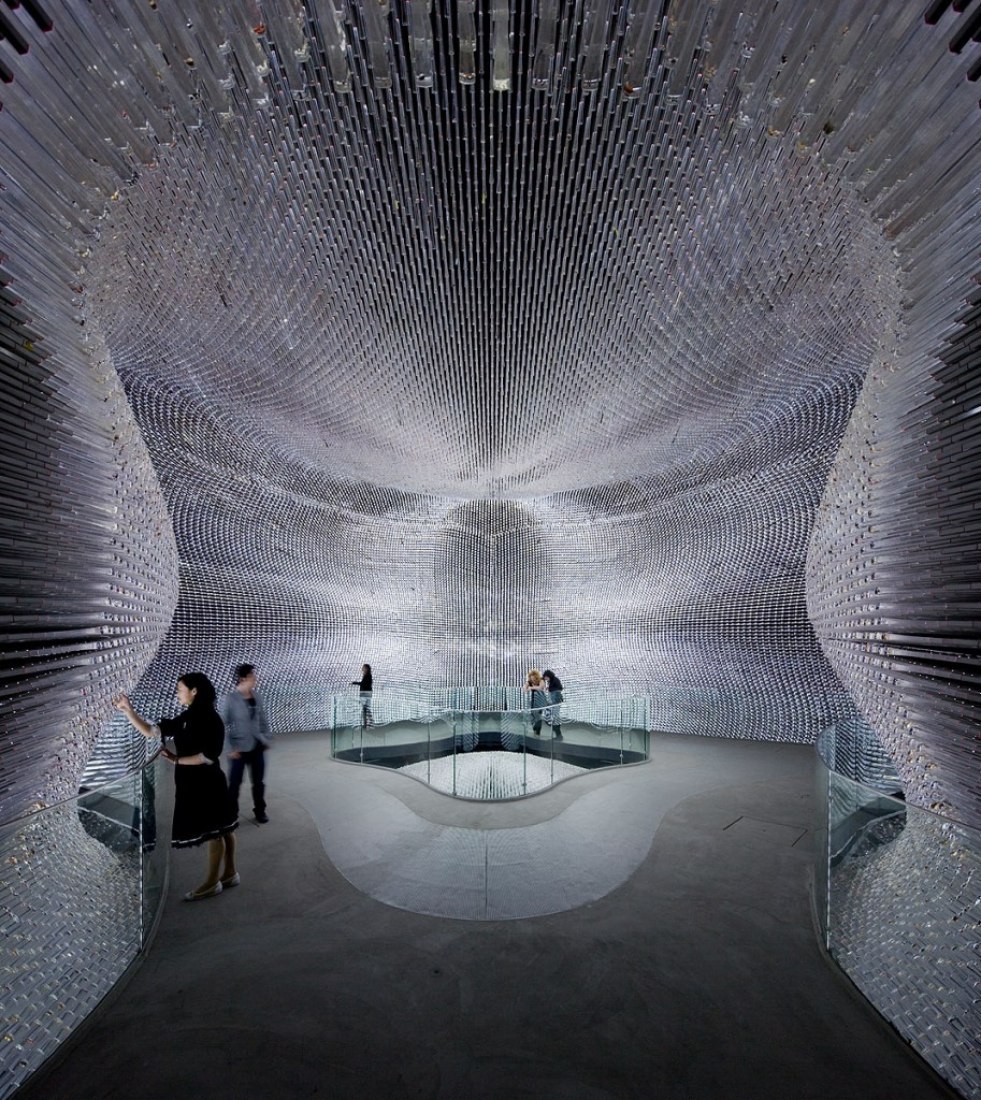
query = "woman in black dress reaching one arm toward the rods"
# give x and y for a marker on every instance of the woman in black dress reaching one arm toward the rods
(203, 811)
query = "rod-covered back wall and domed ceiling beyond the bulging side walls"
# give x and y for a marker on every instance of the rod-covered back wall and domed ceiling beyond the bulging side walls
(362, 309)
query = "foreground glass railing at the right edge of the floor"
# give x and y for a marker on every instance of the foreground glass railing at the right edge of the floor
(898, 897)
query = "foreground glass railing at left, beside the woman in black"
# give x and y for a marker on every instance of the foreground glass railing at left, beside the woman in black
(81, 887)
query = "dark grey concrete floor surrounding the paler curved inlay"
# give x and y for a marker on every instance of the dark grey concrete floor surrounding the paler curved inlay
(698, 978)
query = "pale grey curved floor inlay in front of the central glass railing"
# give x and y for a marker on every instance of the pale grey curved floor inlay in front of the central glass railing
(413, 849)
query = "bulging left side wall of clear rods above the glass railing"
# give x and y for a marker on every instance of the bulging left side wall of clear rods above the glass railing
(90, 573)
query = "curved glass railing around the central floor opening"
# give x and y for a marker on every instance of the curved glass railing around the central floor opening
(486, 743)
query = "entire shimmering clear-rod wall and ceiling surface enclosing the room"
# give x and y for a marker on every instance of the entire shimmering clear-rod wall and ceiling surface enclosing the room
(635, 340)
